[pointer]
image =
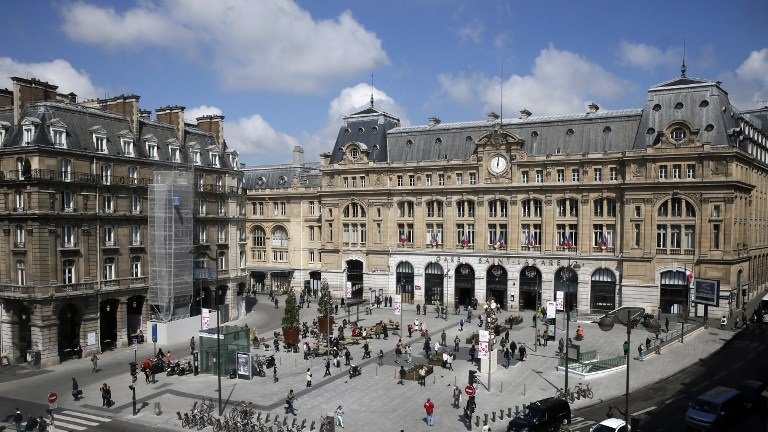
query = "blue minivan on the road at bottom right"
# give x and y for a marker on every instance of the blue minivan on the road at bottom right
(715, 409)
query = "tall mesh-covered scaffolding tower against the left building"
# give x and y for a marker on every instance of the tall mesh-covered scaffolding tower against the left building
(170, 245)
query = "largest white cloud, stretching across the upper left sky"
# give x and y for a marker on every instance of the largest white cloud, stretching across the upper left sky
(270, 44)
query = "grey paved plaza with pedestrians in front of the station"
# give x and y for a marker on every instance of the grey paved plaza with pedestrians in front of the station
(373, 401)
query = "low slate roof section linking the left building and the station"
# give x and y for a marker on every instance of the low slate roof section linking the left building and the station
(282, 176)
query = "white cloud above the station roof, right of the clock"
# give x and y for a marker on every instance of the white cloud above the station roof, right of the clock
(560, 82)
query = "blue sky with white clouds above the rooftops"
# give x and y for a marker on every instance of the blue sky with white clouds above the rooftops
(286, 72)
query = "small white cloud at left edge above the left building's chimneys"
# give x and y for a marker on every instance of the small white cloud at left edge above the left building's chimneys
(59, 72)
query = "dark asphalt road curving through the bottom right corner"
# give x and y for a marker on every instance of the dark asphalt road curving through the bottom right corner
(662, 406)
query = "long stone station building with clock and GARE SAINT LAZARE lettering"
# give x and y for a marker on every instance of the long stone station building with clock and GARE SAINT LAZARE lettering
(599, 209)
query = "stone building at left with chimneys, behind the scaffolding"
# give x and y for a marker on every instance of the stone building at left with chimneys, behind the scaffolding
(74, 181)
